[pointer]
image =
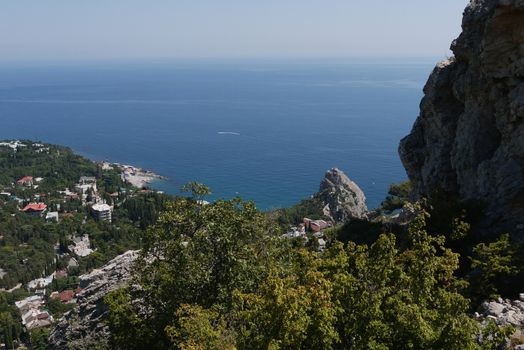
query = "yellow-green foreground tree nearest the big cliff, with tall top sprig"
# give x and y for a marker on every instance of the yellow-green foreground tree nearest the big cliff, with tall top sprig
(402, 299)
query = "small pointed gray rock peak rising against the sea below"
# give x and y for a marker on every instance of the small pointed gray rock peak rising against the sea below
(342, 198)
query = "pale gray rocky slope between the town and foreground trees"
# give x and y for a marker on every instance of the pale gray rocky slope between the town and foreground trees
(84, 327)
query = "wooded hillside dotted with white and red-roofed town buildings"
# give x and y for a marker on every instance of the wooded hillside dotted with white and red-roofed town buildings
(51, 231)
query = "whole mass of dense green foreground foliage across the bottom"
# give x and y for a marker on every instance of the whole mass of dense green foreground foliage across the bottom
(216, 277)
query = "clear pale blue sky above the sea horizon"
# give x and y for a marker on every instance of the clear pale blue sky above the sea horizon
(42, 30)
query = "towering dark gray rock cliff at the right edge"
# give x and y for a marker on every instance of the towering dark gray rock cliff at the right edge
(469, 137)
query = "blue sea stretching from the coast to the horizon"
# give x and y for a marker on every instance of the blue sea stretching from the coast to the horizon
(266, 131)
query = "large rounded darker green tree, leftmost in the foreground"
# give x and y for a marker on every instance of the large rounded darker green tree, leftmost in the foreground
(196, 254)
